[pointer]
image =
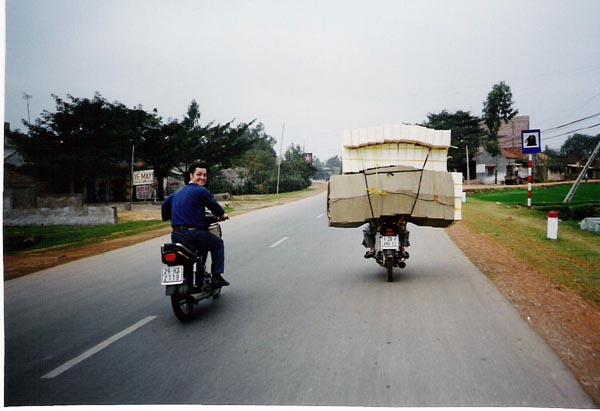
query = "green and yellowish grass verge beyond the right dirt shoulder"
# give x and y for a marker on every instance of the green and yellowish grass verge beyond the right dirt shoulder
(573, 260)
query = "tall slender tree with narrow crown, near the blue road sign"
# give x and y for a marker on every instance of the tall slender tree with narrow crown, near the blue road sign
(497, 108)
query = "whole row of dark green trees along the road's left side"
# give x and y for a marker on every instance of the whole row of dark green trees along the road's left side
(87, 142)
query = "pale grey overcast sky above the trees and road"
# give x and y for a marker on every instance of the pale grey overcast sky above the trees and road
(319, 66)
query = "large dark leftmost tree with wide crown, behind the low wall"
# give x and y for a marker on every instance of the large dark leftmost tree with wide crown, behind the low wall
(83, 139)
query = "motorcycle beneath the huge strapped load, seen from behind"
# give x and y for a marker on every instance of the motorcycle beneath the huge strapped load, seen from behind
(390, 243)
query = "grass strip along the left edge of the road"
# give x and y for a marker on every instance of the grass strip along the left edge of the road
(17, 239)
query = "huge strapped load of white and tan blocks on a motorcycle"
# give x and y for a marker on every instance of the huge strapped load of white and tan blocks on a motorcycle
(395, 170)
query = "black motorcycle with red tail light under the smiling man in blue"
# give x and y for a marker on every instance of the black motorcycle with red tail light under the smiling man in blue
(185, 277)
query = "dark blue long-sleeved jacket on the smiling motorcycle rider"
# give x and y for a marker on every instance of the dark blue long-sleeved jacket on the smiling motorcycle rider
(187, 206)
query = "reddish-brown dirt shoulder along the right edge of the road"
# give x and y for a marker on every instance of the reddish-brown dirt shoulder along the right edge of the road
(568, 323)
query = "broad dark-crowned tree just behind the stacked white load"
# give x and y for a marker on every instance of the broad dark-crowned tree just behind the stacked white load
(466, 133)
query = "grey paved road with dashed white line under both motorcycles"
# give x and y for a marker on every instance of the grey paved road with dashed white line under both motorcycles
(307, 321)
